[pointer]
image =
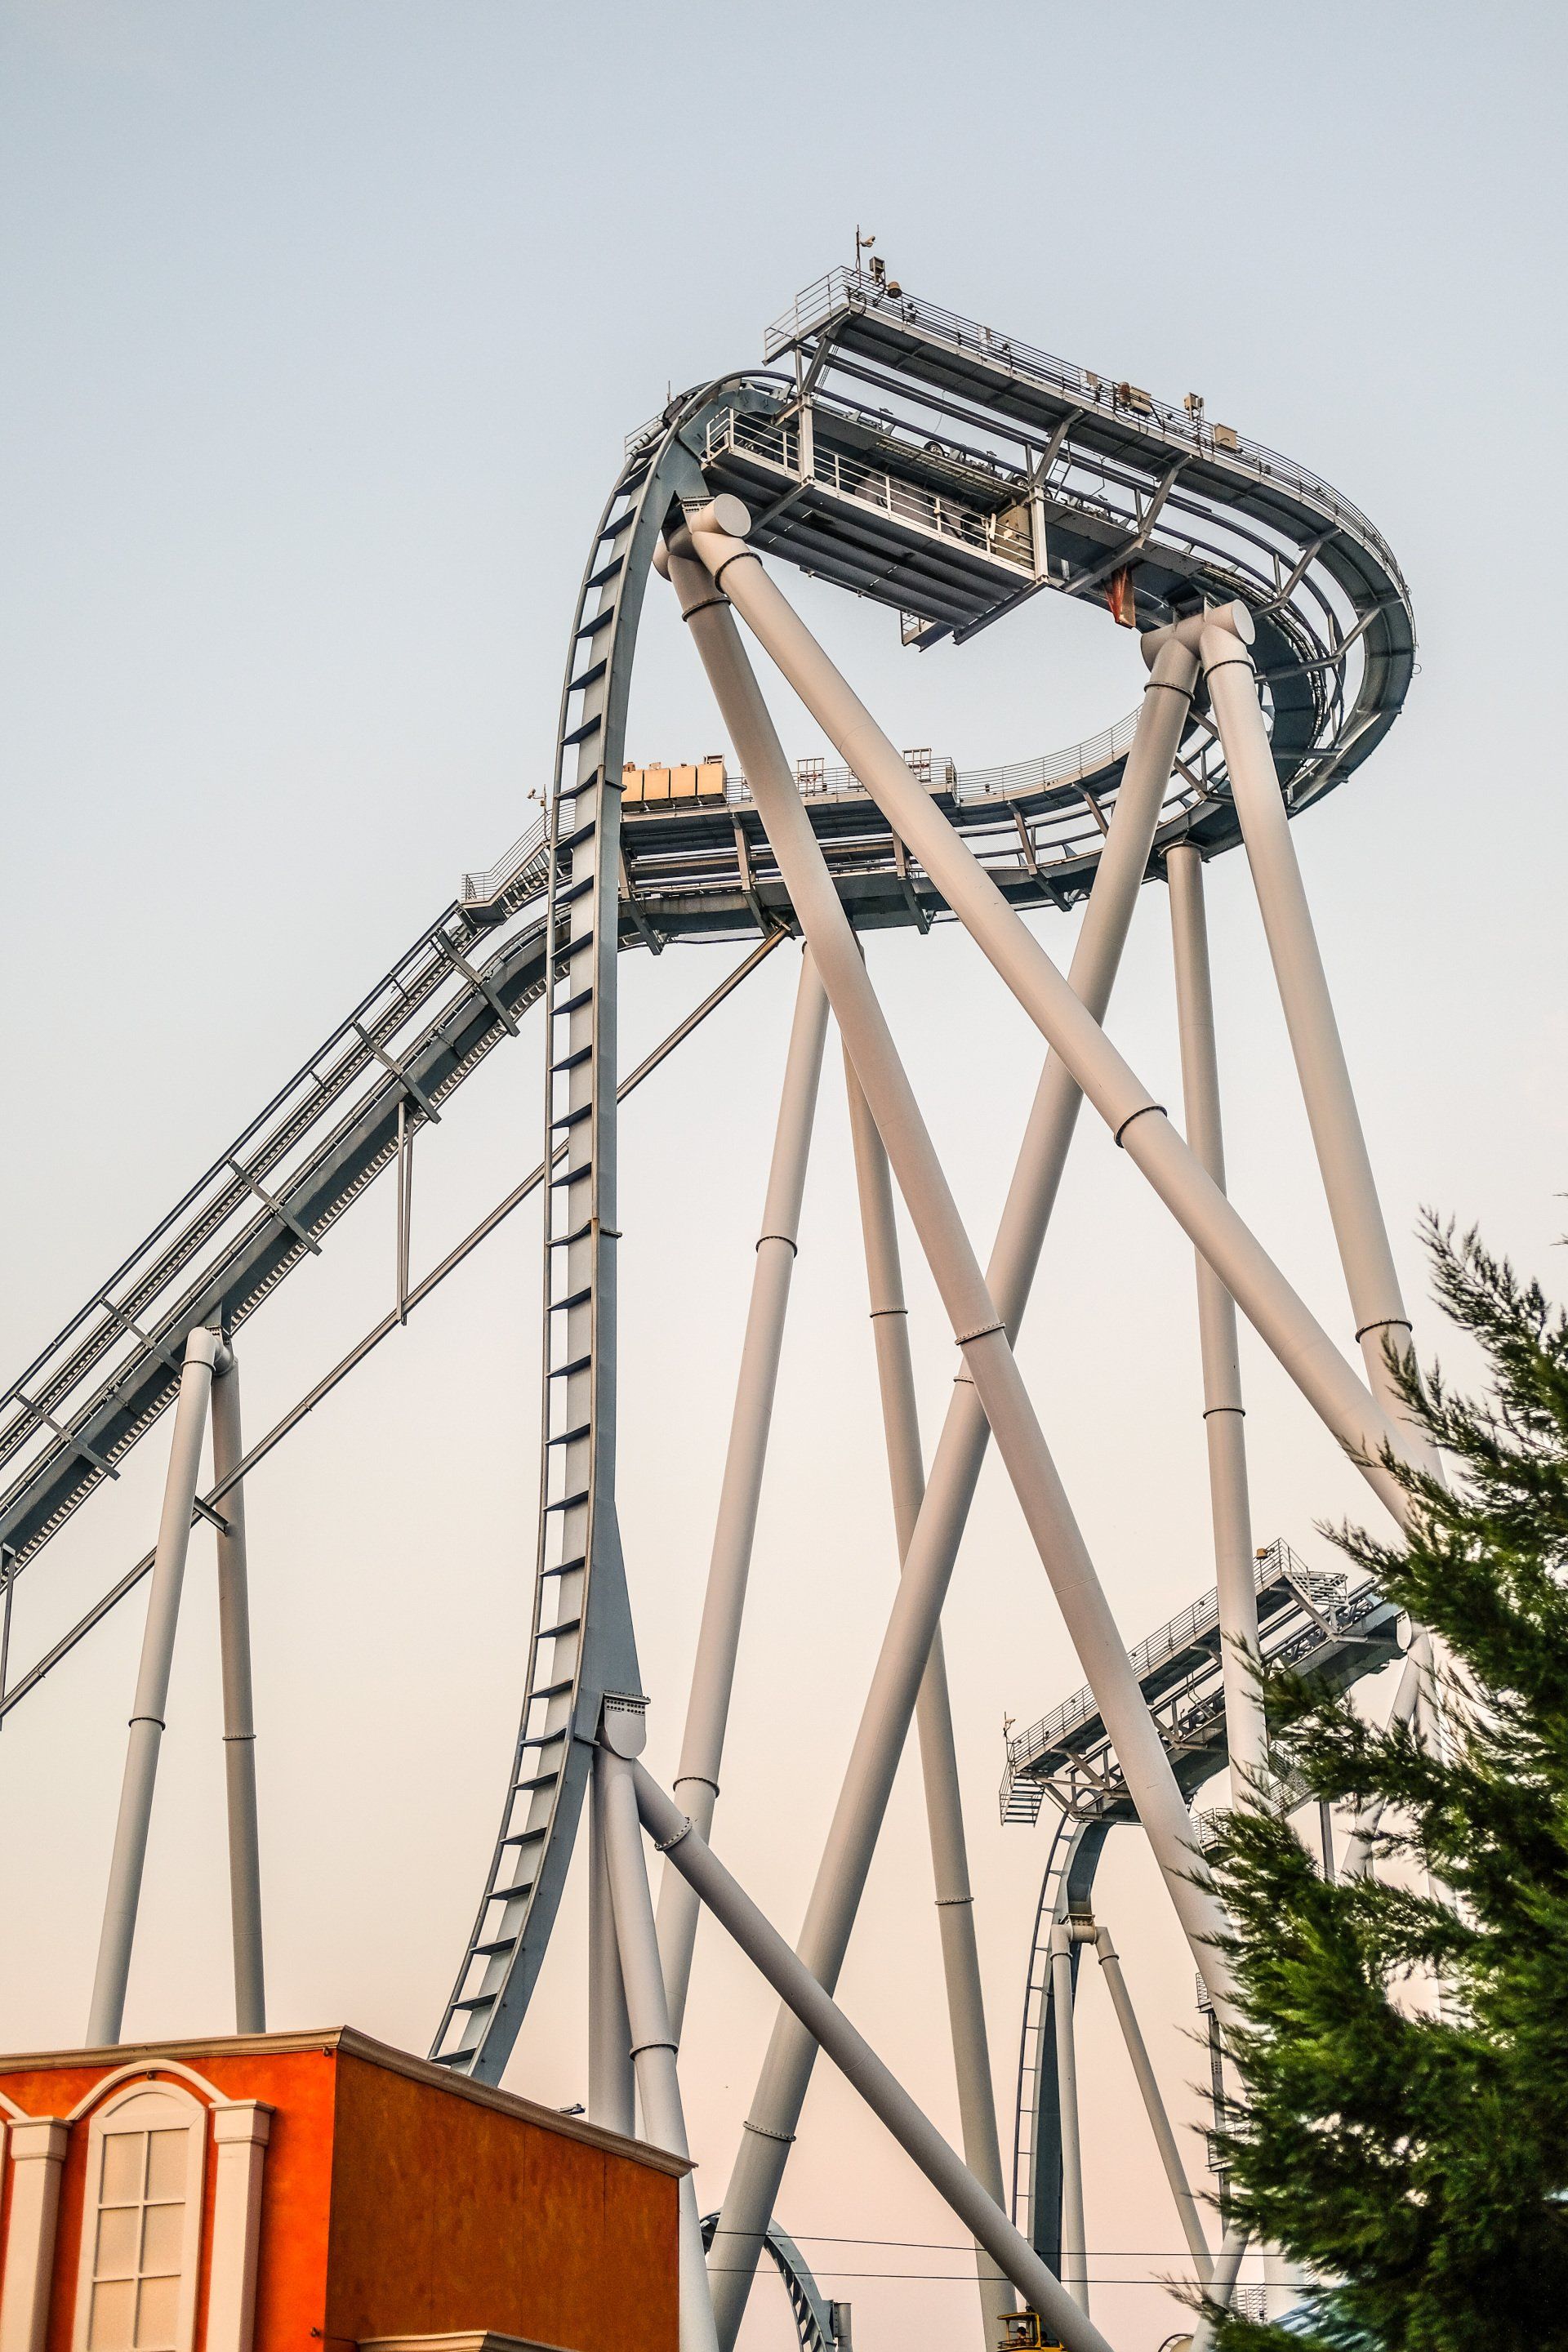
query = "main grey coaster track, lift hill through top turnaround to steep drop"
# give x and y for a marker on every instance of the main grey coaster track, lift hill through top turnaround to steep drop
(930, 467)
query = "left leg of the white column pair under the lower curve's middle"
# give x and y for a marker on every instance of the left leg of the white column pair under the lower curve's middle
(749, 1443)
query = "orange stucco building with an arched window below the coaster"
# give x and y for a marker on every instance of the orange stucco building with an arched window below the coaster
(302, 2193)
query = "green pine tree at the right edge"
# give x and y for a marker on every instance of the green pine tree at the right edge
(1421, 2160)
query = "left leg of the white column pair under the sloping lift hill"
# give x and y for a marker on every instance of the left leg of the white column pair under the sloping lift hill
(152, 1690)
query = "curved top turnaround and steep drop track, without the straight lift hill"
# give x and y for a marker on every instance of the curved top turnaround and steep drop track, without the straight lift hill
(1073, 493)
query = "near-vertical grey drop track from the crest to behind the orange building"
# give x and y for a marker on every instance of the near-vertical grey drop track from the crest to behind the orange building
(582, 1636)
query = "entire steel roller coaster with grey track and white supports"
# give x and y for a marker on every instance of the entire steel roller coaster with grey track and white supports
(951, 474)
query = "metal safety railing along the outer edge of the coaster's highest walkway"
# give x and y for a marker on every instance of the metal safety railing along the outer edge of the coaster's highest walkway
(857, 290)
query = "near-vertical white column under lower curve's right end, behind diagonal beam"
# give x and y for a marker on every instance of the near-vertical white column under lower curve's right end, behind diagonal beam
(1224, 1410)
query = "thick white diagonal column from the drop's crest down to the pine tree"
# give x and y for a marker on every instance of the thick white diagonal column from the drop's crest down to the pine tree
(1134, 1118)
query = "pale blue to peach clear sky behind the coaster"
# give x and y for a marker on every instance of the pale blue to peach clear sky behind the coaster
(323, 330)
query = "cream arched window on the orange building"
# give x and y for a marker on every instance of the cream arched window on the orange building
(142, 2224)
